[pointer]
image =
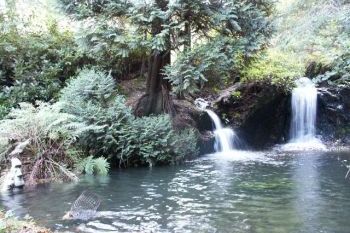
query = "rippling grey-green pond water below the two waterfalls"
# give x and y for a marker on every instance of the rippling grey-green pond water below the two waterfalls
(245, 192)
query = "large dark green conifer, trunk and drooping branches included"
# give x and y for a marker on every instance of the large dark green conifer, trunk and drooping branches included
(159, 27)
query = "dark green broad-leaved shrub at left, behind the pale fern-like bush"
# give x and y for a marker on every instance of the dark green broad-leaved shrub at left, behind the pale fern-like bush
(34, 65)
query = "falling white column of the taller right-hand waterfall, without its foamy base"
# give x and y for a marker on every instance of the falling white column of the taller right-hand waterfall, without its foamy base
(304, 105)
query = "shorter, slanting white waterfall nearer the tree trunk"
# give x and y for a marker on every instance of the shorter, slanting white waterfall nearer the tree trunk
(224, 137)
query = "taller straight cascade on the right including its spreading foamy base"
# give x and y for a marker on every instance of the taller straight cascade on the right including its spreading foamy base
(303, 124)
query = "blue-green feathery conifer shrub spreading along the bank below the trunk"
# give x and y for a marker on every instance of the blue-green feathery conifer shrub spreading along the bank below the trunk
(114, 131)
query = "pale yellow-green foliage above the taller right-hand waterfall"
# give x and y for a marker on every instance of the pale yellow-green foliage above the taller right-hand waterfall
(312, 37)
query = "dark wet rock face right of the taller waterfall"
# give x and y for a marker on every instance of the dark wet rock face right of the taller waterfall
(333, 117)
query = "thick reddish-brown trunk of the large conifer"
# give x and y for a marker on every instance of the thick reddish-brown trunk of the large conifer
(157, 99)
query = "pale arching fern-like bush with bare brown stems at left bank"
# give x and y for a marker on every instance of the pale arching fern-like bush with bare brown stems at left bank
(43, 134)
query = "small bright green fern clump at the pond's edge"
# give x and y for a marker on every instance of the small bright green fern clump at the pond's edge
(91, 166)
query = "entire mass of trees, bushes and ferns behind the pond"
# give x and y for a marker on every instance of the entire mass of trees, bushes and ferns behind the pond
(68, 80)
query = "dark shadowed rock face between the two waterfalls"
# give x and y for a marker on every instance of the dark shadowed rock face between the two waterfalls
(259, 112)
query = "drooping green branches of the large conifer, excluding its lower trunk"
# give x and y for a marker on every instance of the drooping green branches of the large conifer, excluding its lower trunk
(221, 34)
